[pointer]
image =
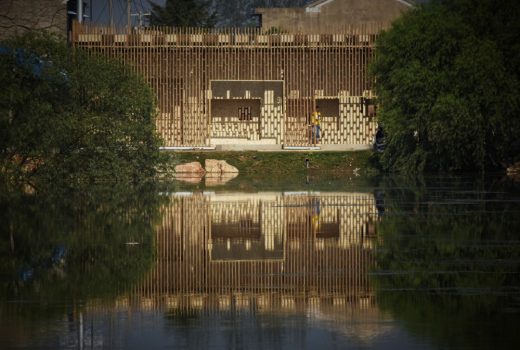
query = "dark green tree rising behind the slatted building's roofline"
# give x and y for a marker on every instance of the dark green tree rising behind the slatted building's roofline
(183, 13)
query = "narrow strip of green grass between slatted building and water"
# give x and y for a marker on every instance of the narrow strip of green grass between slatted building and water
(283, 162)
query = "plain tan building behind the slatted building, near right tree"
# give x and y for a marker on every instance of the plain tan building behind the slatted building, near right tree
(332, 16)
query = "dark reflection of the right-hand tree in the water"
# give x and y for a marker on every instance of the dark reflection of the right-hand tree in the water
(449, 260)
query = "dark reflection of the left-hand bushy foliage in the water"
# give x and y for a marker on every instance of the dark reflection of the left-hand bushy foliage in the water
(75, 244)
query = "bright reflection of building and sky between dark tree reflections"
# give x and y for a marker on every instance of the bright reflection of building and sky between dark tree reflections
(257, 270)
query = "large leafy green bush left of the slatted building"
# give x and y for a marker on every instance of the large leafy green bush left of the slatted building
(84, 119)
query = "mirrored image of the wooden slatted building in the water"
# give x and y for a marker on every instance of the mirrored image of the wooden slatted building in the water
(262, 251)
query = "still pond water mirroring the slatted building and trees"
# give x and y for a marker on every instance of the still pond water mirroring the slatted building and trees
(322, 263)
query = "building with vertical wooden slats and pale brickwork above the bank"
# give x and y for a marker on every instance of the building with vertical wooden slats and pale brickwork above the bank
(217, 87)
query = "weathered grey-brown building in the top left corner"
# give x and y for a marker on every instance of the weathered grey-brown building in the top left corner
(20, 16)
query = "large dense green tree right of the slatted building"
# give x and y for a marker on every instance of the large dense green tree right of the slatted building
(448, 83)
